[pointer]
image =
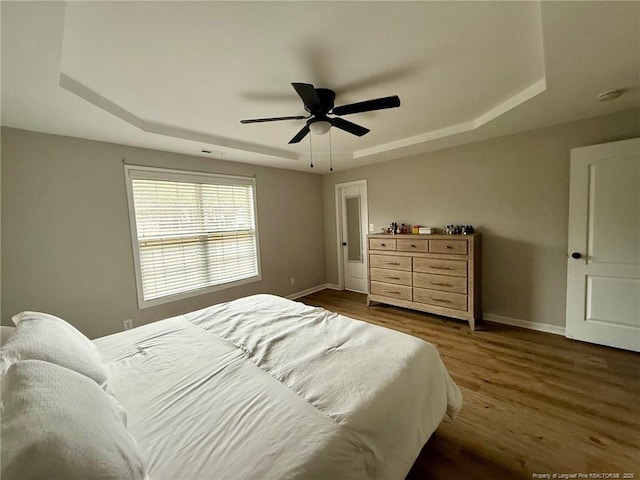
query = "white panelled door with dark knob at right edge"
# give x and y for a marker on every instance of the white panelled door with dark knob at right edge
(603, 273)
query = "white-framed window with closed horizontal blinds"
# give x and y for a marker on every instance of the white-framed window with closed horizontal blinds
(192, 232)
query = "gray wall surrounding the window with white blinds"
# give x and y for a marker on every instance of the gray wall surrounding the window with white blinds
(66, 244)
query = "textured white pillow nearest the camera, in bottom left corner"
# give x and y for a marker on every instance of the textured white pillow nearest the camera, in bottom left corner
(58, 424)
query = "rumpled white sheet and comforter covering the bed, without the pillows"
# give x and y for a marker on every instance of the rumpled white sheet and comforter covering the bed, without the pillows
(267, 388)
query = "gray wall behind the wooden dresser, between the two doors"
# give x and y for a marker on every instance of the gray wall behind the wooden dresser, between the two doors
(514, 189)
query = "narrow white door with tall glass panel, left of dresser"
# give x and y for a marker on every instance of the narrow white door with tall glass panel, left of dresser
(352, 209)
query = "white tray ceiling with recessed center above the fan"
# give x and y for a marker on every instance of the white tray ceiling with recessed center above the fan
(179, 76)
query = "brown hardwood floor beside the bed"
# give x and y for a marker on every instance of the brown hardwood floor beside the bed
(534, 403)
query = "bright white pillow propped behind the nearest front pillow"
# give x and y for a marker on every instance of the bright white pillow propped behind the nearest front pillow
(40, 336)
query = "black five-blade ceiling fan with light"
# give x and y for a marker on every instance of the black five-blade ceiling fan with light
(319, 103)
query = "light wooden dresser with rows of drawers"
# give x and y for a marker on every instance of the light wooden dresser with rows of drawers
(433, 273)
